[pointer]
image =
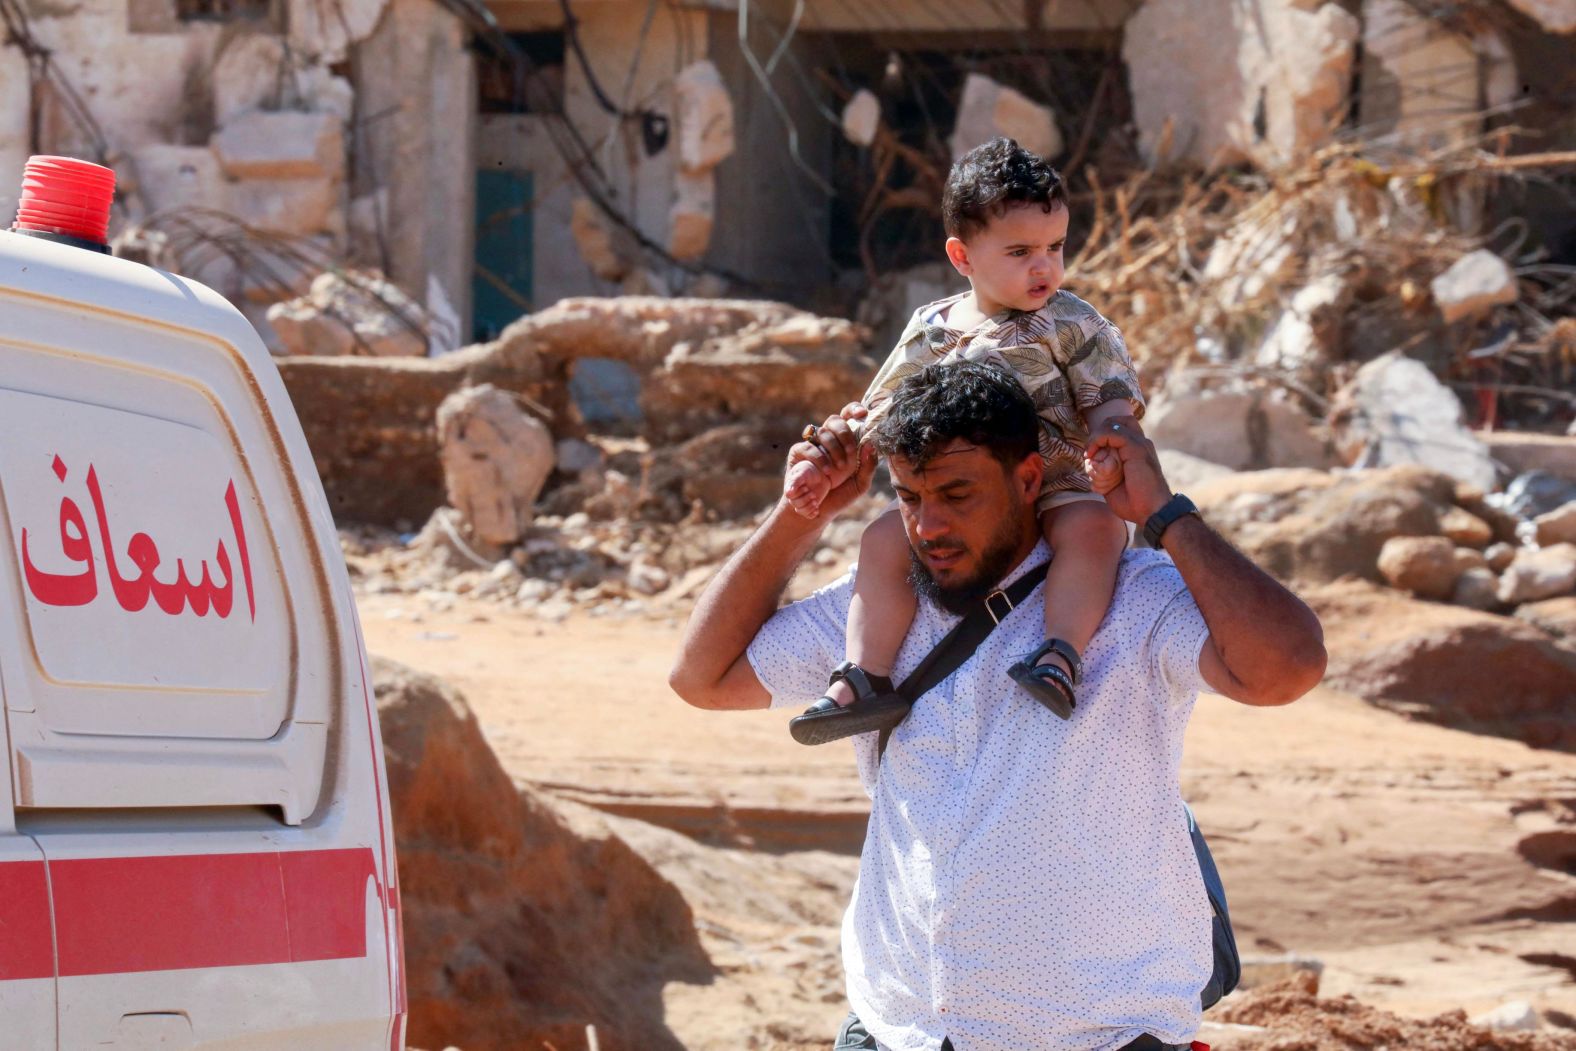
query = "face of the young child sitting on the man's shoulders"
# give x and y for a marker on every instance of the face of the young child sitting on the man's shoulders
(1017, 261)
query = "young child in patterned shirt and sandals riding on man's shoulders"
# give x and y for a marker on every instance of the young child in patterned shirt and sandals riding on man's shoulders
(1006, 218)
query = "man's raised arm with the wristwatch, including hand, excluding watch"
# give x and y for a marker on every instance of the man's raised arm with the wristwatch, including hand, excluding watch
(1266, 647)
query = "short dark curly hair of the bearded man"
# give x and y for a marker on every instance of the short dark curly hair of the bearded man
(983, 404)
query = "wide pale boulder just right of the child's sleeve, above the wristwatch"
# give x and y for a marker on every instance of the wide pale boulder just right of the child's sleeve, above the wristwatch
(1240, 429)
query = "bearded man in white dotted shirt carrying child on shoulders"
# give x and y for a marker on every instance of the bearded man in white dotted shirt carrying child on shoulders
(1025, 882)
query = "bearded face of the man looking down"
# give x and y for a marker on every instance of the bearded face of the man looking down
(968, 521)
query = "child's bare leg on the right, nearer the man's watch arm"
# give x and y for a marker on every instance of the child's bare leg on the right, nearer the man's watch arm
(1088, 541)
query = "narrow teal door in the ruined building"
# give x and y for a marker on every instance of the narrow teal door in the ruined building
(502, 289)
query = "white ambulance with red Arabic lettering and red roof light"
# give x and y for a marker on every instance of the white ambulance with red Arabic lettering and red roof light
(196, 847)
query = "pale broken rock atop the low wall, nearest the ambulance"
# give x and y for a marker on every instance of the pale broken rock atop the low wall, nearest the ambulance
(357, 314)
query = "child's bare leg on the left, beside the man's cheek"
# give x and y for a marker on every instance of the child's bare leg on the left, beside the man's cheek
(883, 606)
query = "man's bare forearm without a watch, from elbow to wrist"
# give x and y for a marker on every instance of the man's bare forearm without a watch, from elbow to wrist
(738, 601)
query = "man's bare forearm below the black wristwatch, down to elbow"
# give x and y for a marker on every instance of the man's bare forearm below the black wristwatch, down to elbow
(1269, 642)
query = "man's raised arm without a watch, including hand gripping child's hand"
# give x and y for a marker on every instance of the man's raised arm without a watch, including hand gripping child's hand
(712, 669)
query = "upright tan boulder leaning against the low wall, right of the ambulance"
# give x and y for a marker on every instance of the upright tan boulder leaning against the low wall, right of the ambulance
(496, 461)
